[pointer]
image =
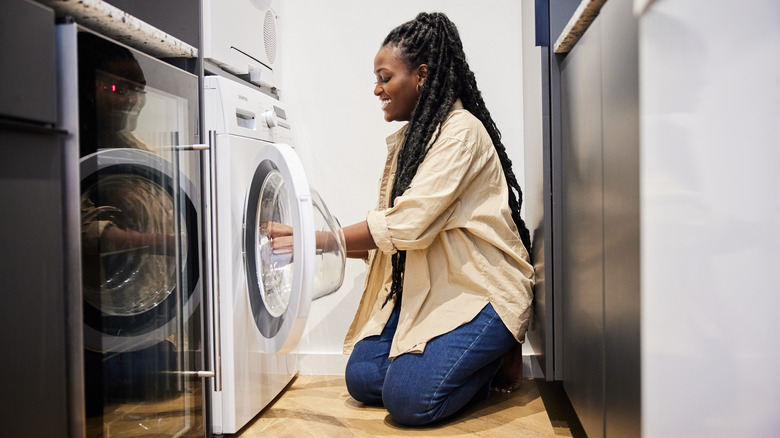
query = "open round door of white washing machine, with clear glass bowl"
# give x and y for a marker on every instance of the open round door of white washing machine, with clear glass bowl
(294, 249)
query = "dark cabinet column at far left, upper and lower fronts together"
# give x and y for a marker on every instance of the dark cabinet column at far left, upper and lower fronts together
(39, 317)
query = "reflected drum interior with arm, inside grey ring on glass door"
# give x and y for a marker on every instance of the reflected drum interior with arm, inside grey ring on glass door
(137, 268)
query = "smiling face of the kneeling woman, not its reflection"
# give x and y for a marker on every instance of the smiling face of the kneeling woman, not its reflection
(396, 85)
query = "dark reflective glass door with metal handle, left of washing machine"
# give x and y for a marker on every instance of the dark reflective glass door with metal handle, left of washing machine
(140, 215)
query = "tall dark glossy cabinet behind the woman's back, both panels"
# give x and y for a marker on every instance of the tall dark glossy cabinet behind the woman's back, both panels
(591, 136)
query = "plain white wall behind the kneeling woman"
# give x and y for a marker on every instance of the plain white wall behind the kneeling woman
(327, 50)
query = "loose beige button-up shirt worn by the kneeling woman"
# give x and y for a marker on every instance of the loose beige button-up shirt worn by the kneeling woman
(462, 246)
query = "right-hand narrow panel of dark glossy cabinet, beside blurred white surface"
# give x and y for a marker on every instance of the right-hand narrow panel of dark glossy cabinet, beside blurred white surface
(620, 108)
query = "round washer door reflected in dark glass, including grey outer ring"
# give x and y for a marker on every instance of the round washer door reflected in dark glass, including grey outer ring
(139, 249)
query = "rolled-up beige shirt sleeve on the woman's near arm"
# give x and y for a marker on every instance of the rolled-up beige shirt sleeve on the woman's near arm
(417, 217)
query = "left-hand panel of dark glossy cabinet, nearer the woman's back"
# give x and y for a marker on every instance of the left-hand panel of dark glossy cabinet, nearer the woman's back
(582, 238)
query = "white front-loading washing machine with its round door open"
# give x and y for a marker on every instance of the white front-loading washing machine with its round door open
(260, 296)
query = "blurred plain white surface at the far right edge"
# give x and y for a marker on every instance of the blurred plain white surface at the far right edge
(710, 155)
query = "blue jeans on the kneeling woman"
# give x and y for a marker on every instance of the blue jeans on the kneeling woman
(419, 389)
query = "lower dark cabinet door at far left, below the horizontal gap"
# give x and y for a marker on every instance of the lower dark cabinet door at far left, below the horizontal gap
(32, 280)
